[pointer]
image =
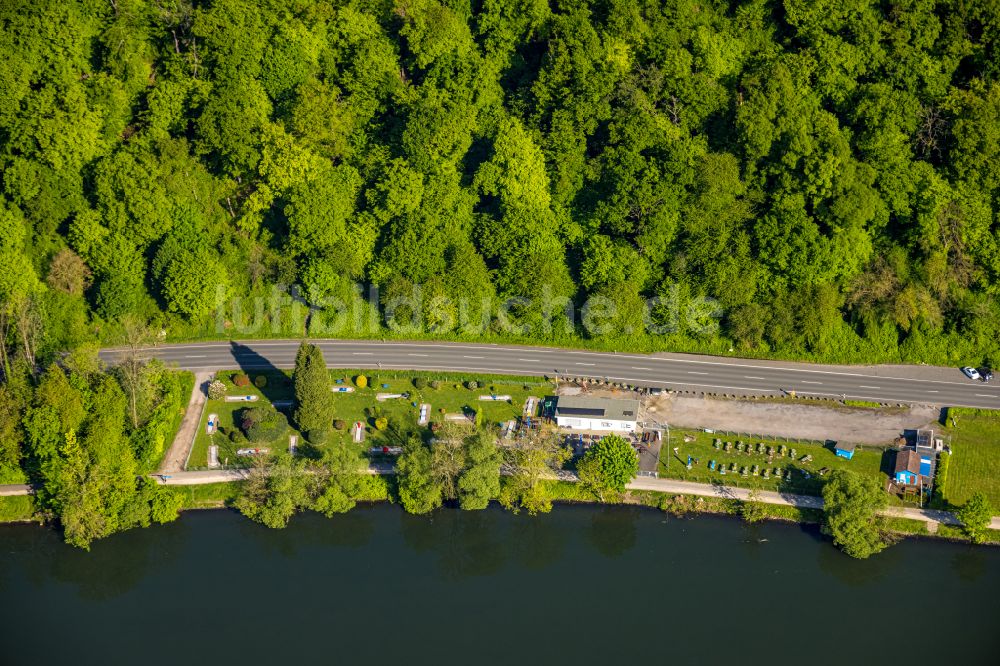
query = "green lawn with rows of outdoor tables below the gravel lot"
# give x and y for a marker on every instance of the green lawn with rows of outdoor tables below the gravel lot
(673, 465)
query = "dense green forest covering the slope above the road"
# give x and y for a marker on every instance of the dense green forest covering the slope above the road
(827, 171)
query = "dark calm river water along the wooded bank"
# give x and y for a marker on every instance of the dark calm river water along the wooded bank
(583, 585)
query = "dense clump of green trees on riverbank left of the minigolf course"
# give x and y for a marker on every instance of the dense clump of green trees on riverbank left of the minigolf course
(84, 438)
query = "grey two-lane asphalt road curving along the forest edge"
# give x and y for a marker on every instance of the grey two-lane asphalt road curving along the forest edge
(909, 384)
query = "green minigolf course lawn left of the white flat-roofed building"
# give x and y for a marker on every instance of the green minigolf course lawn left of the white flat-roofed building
(361, 405)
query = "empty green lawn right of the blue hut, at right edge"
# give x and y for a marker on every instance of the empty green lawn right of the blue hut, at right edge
(975, 460)
